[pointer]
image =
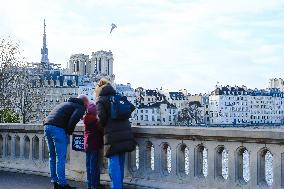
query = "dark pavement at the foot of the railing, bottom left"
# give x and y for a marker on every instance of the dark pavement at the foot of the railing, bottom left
(10, 180)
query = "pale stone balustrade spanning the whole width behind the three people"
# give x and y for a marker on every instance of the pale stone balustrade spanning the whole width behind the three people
(167, 157)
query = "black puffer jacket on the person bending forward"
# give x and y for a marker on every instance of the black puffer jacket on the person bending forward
(66, 115)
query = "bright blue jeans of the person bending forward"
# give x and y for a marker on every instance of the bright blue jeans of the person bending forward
(57, 142)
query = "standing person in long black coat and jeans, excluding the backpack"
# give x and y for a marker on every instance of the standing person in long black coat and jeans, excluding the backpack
(118, 136)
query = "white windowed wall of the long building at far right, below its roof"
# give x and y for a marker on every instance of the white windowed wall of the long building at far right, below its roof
(245, 109)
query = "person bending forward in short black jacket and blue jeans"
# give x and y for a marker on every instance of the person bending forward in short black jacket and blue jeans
(59, 124)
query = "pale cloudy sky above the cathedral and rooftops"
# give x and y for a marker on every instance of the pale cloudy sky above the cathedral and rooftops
(171, 43)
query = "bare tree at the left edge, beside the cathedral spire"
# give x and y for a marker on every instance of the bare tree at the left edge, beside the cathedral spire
(20, 89)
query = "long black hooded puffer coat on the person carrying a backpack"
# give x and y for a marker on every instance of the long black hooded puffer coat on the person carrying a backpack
(118, 136)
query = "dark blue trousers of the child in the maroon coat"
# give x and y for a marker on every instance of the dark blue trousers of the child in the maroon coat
(93, 168)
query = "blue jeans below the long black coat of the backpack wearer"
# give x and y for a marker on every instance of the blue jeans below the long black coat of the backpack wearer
(116, 170)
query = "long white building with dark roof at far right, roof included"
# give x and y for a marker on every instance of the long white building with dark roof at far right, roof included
(242, 106)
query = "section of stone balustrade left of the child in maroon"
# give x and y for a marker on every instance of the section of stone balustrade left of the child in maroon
(23, 149)
